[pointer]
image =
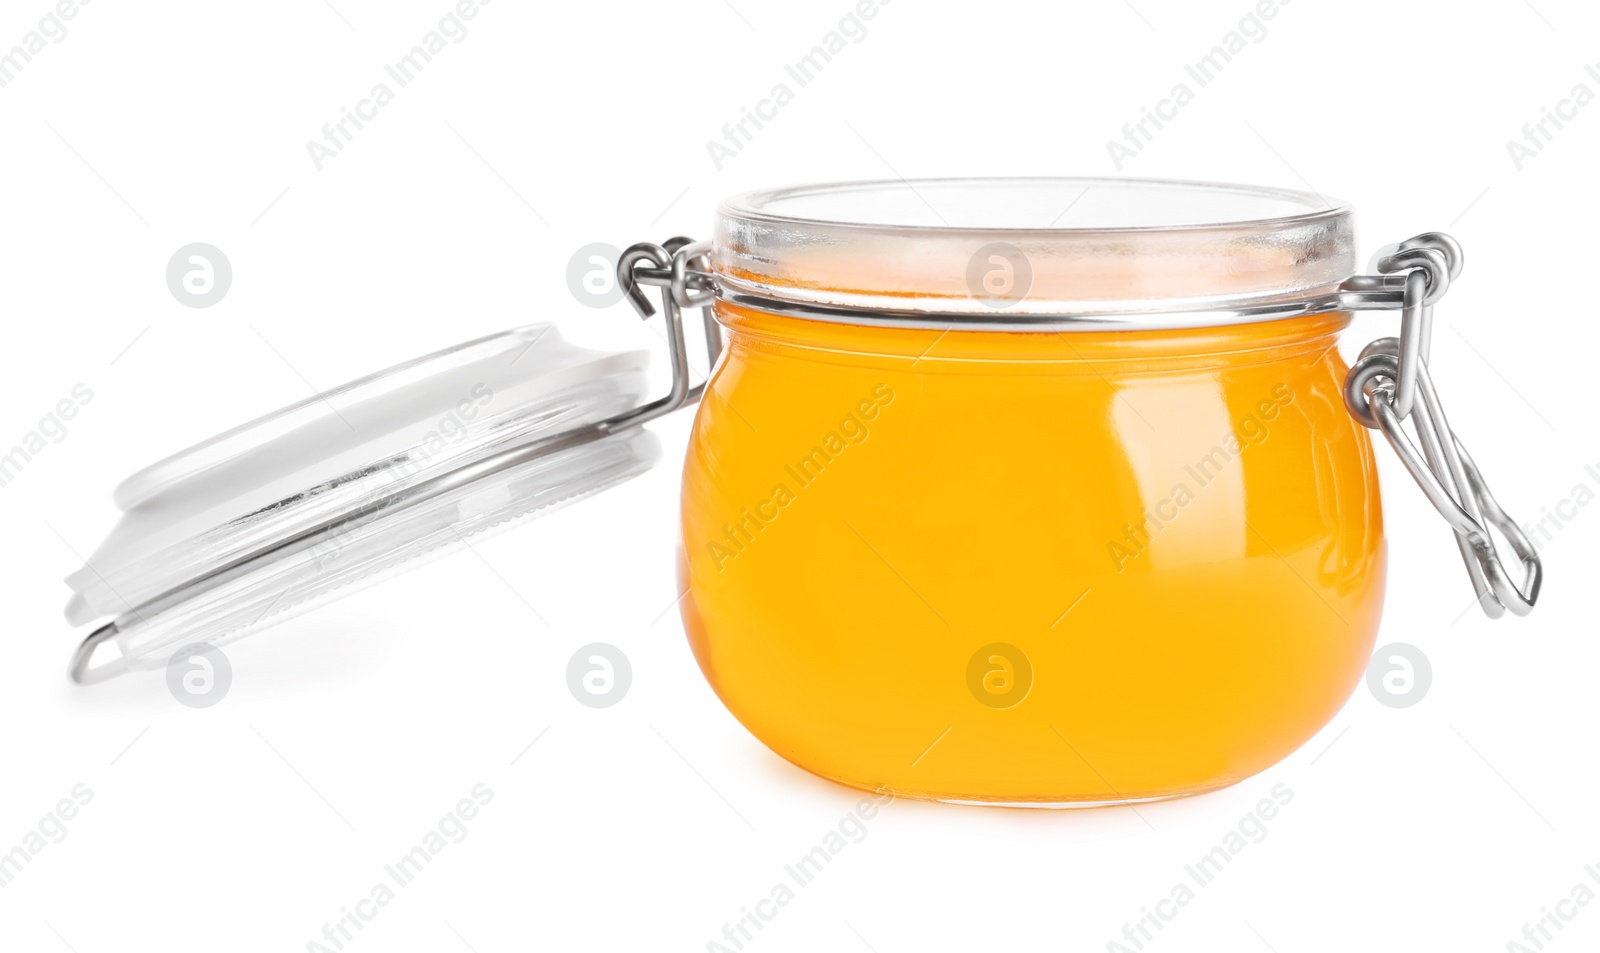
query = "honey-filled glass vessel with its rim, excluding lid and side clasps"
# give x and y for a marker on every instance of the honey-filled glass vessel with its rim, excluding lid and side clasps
(1031, 492)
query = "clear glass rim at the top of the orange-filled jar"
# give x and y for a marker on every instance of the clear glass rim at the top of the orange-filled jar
(988, 252)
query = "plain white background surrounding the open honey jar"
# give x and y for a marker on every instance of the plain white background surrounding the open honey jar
(353, 732)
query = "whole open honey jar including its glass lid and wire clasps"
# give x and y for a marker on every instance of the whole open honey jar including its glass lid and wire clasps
(1018, 492)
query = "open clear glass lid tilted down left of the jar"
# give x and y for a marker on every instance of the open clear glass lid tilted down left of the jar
(337, 492)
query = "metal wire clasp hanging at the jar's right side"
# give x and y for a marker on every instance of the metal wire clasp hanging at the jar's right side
(1390, 386)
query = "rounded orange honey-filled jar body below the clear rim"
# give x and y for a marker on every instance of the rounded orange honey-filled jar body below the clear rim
(1031, 567)
